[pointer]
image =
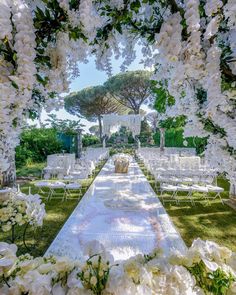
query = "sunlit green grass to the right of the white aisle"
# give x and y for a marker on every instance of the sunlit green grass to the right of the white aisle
(209, 221)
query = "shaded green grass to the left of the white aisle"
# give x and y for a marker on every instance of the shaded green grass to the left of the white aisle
(57, 212)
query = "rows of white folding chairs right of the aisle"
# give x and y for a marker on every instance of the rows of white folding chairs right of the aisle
(175, 179)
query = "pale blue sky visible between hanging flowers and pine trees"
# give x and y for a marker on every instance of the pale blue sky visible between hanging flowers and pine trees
(90, 76)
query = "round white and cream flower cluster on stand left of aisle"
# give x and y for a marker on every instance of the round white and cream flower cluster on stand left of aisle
(21, 209)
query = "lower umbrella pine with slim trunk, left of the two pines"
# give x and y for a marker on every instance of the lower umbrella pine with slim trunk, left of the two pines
(92, 103)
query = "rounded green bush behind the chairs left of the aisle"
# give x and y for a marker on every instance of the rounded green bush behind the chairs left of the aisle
(36, 144)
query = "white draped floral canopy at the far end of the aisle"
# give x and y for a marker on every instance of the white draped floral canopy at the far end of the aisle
(112, 121)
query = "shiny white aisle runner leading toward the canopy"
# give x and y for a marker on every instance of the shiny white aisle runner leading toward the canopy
(123, 213)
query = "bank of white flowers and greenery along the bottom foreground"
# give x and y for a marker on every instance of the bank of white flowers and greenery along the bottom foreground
(205, 268)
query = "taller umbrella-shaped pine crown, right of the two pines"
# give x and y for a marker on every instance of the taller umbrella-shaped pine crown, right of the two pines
(131, 89)
